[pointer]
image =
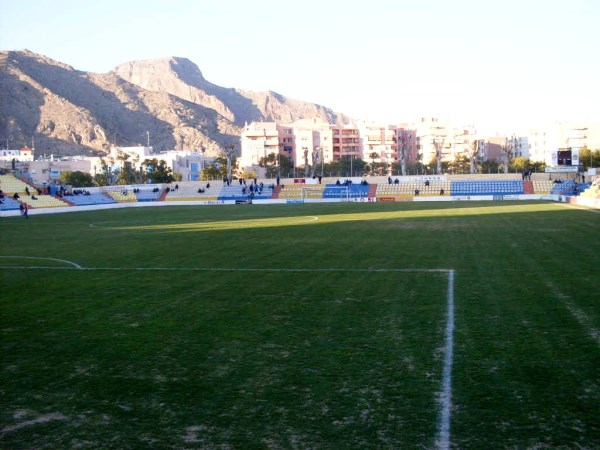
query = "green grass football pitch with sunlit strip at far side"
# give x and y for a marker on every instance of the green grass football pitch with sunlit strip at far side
(301, 326)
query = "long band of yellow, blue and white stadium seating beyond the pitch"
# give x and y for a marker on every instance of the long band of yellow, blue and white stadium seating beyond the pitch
(380, 188)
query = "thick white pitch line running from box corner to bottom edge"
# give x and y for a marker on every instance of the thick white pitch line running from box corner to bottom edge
(443, 433)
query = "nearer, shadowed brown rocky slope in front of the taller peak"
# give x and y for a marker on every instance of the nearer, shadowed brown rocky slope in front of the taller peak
(68, 111)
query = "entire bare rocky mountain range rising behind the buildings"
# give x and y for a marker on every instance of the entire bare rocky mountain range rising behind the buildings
(64, 111)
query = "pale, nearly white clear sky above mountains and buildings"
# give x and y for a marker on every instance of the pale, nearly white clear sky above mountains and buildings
(495, 64)
